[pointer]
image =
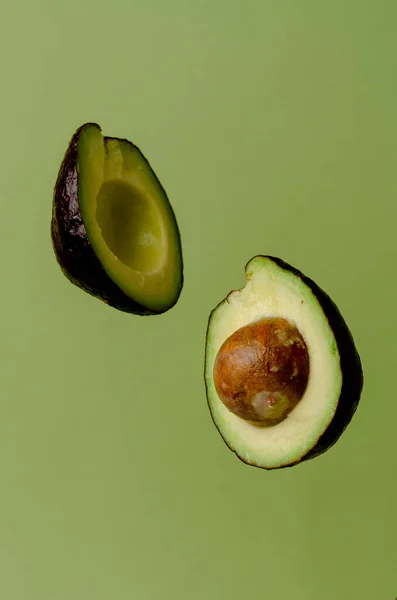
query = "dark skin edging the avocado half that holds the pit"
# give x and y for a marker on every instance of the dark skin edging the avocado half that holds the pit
(351, 368)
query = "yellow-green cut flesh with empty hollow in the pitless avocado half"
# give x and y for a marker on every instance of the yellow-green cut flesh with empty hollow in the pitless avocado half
(128, 219)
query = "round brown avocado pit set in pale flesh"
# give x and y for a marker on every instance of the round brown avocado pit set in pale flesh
(261, 371)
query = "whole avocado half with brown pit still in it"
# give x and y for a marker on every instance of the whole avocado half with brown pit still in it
(282, 373)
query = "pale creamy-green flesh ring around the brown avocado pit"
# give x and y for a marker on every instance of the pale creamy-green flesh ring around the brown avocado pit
(273, 291)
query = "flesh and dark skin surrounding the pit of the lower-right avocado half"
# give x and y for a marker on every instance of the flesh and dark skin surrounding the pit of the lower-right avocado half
(276, 289)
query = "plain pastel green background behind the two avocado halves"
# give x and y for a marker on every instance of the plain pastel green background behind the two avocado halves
(273, 127)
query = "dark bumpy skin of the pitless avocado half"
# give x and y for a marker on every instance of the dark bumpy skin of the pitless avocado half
(72, 247)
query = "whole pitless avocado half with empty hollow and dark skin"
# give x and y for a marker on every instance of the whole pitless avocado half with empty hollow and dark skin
(113, 230)
